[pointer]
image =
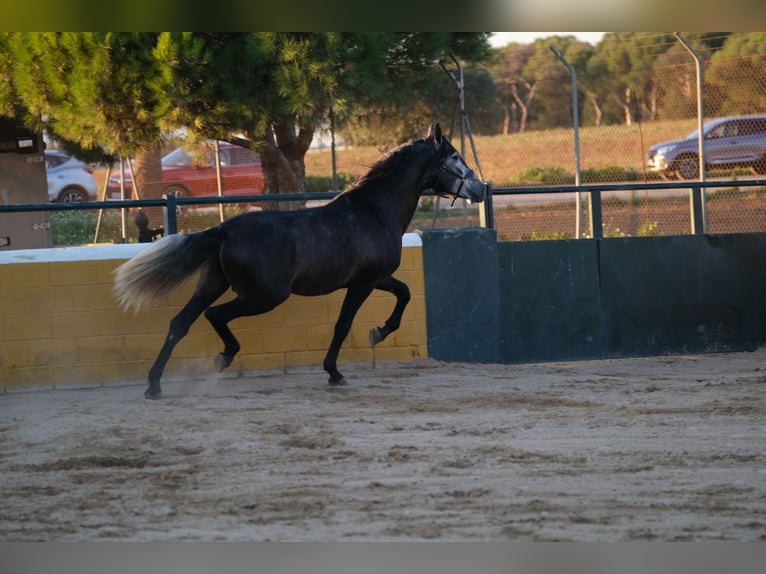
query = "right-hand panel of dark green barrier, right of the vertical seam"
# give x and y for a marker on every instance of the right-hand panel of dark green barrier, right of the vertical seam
(695, 294)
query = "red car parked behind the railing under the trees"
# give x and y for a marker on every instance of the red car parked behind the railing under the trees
(191, 171)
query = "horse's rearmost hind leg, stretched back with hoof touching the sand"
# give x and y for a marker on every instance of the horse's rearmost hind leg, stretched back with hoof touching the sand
(210, 286)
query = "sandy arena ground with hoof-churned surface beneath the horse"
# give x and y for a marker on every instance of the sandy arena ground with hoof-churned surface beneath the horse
(663, 448)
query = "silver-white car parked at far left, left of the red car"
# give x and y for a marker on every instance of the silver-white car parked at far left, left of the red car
(69, 179)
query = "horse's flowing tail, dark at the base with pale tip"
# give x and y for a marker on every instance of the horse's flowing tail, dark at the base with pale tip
(160, 268)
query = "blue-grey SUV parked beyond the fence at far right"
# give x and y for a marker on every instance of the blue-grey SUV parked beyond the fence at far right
(735, 141)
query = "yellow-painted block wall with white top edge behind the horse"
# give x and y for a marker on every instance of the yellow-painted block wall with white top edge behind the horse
(60, 324)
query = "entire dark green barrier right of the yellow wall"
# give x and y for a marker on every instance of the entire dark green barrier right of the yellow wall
(580, 299)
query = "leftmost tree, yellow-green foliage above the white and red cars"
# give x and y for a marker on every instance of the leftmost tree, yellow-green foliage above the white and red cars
(92, 91)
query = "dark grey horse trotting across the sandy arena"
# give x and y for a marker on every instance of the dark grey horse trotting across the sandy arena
(352, 242)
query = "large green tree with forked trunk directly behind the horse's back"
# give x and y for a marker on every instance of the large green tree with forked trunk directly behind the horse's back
(276, 88)
